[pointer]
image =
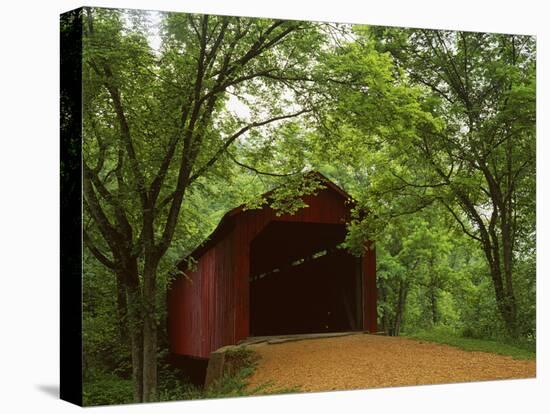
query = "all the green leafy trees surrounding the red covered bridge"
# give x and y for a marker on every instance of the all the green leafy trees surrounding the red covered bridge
(185, 116)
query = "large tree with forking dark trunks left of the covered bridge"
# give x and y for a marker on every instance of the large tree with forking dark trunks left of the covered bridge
(155, 123)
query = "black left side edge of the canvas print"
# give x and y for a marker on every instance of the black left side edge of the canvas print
(71, 207)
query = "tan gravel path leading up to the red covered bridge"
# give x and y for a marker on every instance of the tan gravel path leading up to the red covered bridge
(369, 361)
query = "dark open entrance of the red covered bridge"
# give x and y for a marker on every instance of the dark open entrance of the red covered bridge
(301, 282)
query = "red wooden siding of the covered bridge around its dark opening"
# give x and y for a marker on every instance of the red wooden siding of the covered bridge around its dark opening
(213, 310)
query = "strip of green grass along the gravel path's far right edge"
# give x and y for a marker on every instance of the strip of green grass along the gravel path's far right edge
(448, 337)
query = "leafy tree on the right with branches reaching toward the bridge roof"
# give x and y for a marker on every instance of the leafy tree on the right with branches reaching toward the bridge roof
(459, 131)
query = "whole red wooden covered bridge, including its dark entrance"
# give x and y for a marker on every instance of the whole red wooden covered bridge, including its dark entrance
(262, 274)
